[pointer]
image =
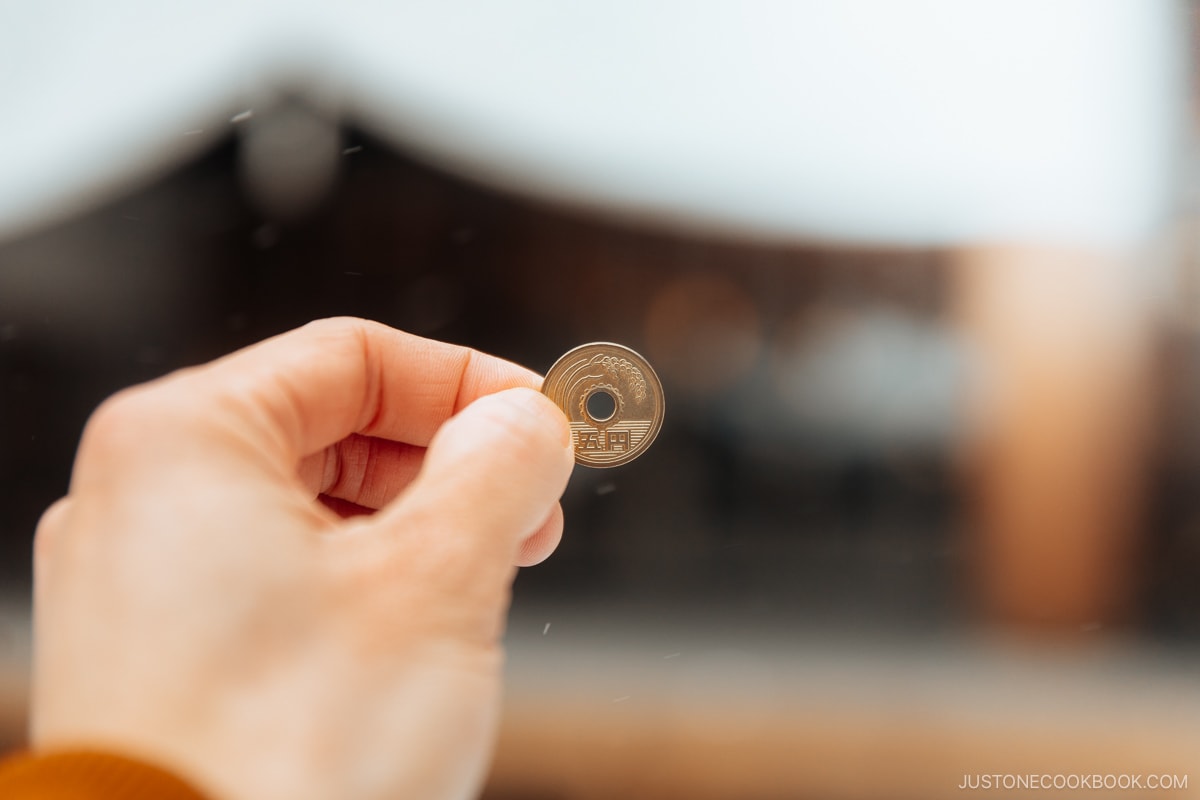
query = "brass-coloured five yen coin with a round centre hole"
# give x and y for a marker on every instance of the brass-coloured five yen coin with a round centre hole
(613, 399)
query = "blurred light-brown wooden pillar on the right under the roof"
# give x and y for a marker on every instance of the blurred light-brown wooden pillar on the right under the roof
(1059, 412)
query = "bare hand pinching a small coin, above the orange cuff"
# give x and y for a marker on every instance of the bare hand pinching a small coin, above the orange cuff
(200, 605)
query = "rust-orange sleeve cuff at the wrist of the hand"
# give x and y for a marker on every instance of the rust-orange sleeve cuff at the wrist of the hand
(88, 775)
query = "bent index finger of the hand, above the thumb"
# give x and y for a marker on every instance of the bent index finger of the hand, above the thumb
(313, 387)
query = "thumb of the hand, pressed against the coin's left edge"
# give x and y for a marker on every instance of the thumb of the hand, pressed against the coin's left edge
(493, 474)
